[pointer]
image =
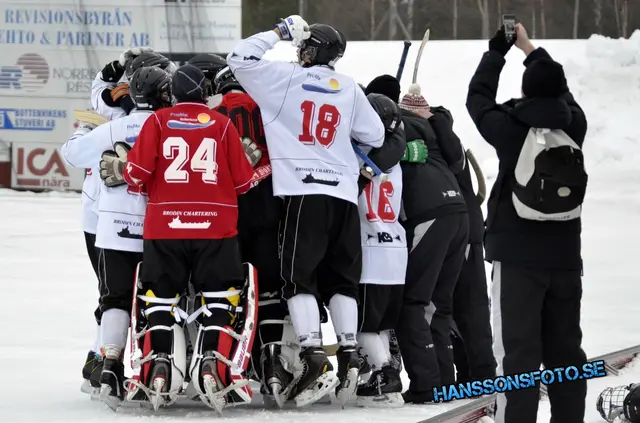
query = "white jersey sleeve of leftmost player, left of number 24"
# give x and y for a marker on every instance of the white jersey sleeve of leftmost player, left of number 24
(85, 149)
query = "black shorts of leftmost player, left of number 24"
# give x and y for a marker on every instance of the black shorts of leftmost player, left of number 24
(117, 271)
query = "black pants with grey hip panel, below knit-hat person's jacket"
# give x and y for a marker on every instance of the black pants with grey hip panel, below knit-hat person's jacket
(436, 253)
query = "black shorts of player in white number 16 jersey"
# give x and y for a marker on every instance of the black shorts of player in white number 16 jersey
(379, 307)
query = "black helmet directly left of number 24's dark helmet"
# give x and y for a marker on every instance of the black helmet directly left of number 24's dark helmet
(150, 88)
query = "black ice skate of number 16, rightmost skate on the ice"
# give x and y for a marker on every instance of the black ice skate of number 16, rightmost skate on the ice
(383, 390)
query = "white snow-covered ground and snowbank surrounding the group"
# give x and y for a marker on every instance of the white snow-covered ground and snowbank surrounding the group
(49, 290)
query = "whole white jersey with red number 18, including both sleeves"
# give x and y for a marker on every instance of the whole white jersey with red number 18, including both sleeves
(310, 116)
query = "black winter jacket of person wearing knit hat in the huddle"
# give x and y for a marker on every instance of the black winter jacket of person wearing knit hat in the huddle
(430, 189)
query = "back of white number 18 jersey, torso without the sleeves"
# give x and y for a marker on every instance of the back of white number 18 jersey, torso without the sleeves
(318, 110)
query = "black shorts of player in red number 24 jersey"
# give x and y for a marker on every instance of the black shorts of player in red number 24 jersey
(210, 265)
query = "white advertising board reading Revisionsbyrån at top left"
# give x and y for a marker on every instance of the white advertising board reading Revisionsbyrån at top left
(54, 48)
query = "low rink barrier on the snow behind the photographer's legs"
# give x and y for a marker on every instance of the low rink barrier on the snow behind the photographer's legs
(484, 406)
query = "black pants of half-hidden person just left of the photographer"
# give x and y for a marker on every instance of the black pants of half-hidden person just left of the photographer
(472, 347)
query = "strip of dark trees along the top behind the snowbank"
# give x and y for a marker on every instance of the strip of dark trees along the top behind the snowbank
(450, 19)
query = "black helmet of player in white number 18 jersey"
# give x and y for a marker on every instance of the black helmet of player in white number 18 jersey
(325, 46)
